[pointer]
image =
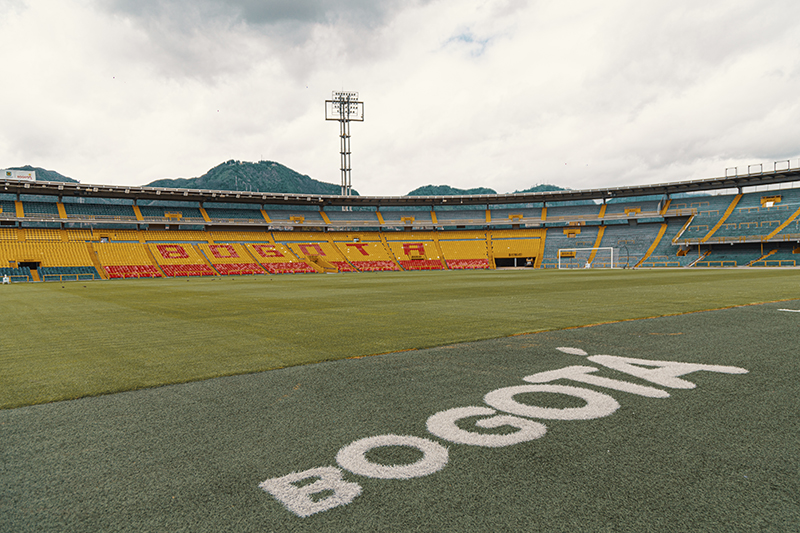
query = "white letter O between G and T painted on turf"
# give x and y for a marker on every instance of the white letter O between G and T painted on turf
(597, 405)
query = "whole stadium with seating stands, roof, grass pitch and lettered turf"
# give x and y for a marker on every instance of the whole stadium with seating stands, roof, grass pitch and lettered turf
(618, 359)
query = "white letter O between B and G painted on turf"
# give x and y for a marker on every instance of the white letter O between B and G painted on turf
(353, 457)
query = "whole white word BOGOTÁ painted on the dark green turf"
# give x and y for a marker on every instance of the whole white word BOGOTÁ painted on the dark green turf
(330, 489)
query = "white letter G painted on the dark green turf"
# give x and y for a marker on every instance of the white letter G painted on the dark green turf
(443, 425)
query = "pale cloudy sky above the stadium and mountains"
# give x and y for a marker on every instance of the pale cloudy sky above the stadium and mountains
(498, 93)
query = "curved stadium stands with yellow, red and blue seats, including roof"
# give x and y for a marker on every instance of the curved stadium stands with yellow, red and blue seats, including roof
(68, 231)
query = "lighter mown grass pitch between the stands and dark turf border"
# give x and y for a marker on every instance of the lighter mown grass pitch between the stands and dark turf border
(73, 340)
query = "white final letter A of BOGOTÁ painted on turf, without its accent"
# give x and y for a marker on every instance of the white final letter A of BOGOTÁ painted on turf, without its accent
(664, 373)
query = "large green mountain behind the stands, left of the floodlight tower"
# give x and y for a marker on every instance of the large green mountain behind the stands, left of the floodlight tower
(264, 176)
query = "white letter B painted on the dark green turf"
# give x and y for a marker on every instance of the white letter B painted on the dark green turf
(298, 499)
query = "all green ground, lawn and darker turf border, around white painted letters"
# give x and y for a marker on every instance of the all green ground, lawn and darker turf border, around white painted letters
(722, 456)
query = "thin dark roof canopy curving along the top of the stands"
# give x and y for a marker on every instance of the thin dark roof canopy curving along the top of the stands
(246, 197)
